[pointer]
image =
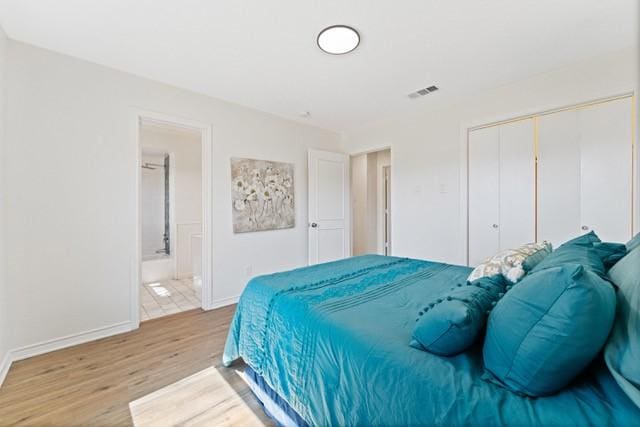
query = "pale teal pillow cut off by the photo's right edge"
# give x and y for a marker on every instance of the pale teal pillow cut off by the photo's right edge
(622, 352)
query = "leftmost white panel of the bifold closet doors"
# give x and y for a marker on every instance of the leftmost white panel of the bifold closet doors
(484, 185)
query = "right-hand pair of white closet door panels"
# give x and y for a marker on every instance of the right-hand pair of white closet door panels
(585, 172)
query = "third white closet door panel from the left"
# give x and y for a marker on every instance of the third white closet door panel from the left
(558, 177)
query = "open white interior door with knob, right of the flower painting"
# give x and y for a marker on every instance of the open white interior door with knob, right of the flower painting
(329, 230)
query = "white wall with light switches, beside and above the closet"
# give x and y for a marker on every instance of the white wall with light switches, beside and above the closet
(427, 189)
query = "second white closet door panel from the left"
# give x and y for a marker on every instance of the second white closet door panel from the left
(517, 184)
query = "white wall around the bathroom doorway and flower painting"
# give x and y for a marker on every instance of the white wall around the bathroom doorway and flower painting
(70, 190)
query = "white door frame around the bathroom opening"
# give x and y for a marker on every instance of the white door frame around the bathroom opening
(137, 116)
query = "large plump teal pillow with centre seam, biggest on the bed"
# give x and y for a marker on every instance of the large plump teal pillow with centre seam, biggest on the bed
(548, 328)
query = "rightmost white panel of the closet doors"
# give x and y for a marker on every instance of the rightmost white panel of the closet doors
(606, 169)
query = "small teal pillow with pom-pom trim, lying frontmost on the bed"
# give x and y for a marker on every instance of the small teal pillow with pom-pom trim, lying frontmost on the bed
(450, 324)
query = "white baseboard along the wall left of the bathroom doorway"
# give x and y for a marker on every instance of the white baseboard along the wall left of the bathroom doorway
(69, 340)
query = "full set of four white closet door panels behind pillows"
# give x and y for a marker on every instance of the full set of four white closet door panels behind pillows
(551, 176)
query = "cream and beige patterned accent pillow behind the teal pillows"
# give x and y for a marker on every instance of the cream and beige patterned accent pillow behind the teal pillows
(510, 262)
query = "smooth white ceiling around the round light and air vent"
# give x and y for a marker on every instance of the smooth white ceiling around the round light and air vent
(263, 54)
